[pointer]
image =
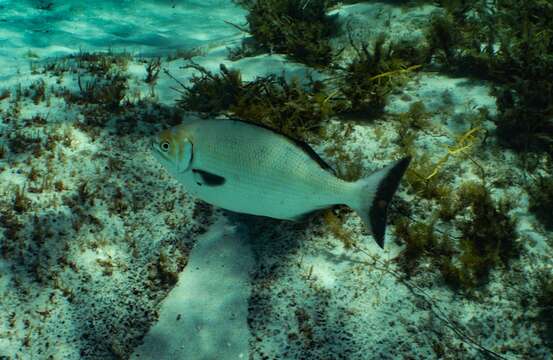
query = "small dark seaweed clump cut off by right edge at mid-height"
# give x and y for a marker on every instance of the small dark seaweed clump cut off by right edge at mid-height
(541, 200)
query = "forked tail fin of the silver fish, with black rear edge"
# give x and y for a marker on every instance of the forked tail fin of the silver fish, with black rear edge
(374, 194)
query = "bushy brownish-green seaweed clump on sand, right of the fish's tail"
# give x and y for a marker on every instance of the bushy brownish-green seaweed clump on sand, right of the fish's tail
(481, 237)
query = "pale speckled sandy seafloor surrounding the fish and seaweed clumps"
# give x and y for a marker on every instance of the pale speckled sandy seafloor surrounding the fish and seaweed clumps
(110, 258)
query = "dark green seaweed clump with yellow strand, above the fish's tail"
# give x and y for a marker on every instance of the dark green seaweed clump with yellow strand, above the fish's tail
(374, 74)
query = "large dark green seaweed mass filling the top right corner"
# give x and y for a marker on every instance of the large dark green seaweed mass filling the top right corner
(511, 43)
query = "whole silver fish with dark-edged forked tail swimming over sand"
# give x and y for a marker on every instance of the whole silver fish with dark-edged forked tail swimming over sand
(251, 169)
